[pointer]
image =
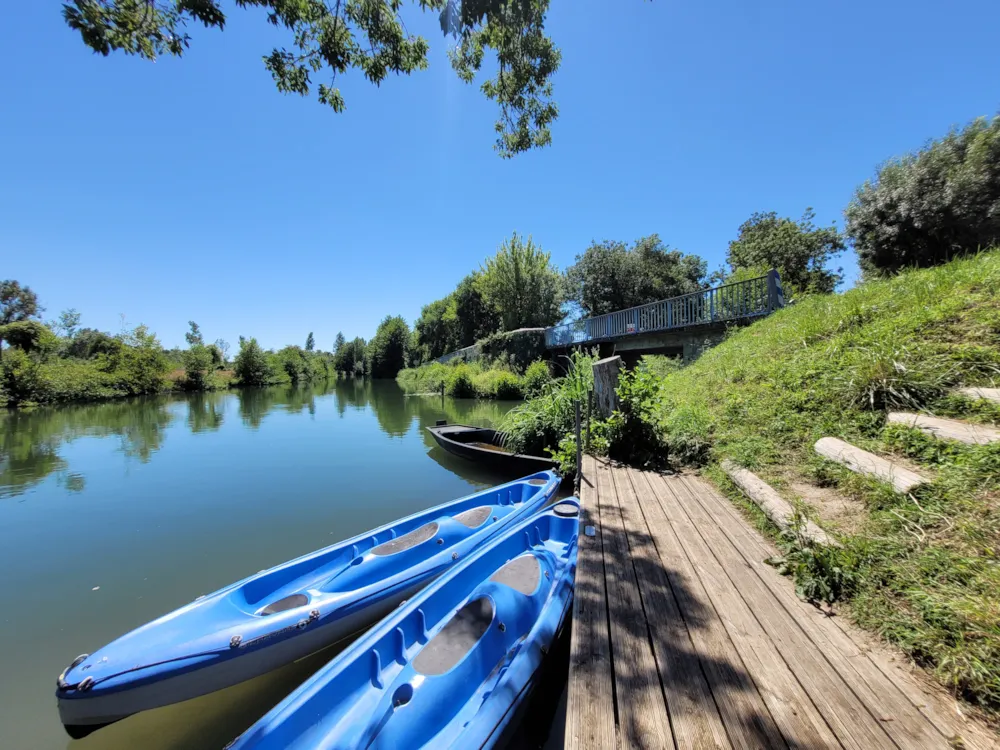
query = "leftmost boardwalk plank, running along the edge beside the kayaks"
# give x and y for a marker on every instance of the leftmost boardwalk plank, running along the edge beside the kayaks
(590, 712)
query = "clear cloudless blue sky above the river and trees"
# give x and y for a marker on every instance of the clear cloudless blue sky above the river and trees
(191, 189)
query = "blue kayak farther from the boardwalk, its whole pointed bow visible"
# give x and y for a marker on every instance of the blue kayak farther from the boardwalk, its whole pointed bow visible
(288, 612)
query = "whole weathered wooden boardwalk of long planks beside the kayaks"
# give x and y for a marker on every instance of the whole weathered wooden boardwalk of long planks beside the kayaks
(684, 638)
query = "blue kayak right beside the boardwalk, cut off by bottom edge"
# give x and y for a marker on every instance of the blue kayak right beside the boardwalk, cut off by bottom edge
(450, 667)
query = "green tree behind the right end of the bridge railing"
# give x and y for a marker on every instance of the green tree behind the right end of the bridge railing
(798, 250)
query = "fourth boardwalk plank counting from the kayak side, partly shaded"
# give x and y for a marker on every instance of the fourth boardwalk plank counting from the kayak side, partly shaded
(744, 715)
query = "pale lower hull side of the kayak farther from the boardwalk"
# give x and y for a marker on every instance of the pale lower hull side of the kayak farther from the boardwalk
(83, 715)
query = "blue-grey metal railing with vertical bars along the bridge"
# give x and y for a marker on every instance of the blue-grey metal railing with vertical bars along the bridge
(731, 302)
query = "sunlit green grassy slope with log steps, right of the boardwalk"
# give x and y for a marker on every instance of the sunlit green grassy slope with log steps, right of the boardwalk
(922, 570)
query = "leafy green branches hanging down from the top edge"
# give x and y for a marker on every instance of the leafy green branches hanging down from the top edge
(367, 36)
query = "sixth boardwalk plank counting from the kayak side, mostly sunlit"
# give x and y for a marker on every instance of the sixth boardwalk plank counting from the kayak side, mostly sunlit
(836, 703)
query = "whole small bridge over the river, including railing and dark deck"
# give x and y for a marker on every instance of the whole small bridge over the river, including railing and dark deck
(679, 325)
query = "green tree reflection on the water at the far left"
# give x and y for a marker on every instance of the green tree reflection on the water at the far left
(31, 440)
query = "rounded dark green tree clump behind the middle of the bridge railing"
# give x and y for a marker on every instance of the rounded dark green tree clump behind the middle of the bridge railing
(611, 276)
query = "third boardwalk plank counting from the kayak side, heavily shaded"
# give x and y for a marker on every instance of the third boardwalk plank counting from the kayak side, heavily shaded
(694, 717)
